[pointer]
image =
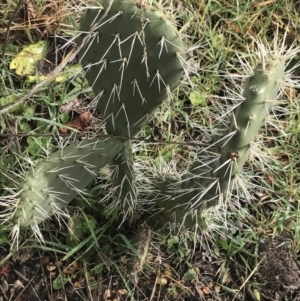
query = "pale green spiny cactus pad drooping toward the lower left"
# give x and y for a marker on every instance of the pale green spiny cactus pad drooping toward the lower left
(54, 182)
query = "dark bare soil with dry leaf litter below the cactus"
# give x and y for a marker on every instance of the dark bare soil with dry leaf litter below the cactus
(34, 276)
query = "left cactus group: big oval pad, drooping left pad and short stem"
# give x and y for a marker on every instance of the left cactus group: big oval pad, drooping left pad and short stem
(133, 58)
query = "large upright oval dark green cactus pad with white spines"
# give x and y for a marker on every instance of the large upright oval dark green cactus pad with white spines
(133, 57)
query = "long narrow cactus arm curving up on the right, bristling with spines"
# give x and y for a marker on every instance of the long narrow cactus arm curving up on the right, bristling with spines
(219, 165)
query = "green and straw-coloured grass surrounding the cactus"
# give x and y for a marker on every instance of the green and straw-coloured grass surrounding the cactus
(218, 32)
